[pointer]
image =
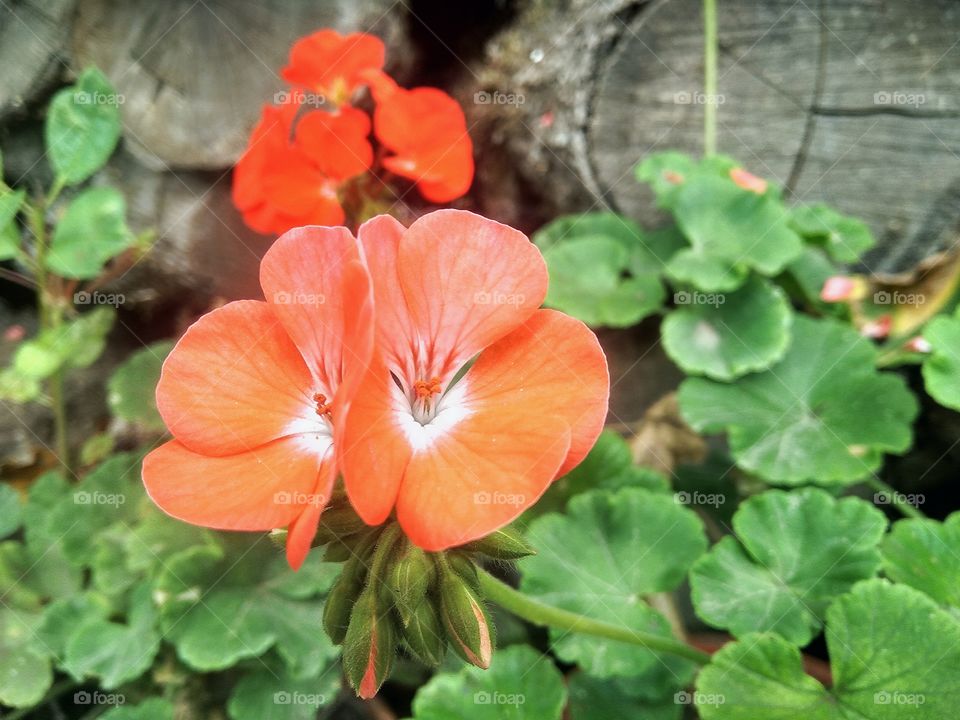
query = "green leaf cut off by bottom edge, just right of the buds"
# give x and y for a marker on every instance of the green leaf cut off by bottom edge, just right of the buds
(521, 684)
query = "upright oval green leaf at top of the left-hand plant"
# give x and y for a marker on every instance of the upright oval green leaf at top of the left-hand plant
(83, 127)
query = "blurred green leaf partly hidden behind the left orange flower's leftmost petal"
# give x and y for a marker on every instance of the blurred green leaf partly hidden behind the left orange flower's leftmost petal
(131, 390)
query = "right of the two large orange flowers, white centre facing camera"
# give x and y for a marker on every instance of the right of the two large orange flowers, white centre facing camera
(476, 399)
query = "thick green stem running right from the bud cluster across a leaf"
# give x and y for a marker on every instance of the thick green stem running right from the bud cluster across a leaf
(536, 612)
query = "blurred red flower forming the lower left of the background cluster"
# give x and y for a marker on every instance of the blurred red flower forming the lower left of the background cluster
(288, 178)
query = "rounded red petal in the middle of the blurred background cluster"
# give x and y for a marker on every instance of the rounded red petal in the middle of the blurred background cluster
(336, 142)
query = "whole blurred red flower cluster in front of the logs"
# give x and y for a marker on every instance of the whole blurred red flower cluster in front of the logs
(304, 150)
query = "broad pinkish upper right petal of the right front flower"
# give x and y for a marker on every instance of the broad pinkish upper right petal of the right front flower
(468, 282)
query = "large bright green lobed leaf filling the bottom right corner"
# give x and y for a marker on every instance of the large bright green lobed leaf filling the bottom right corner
(893, 653)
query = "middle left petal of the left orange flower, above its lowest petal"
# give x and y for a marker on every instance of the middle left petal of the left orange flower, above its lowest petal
(235, 381)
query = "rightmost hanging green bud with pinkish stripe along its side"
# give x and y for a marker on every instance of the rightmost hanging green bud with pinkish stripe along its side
(468, 628)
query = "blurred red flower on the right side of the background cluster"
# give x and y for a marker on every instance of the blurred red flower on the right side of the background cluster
(426, 131)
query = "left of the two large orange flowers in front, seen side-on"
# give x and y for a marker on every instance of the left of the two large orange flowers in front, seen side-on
(256, 394)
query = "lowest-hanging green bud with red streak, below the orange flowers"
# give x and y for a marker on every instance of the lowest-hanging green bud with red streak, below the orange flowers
(369, 646)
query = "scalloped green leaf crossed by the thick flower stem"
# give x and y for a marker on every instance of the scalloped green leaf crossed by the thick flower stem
(600, 559)
